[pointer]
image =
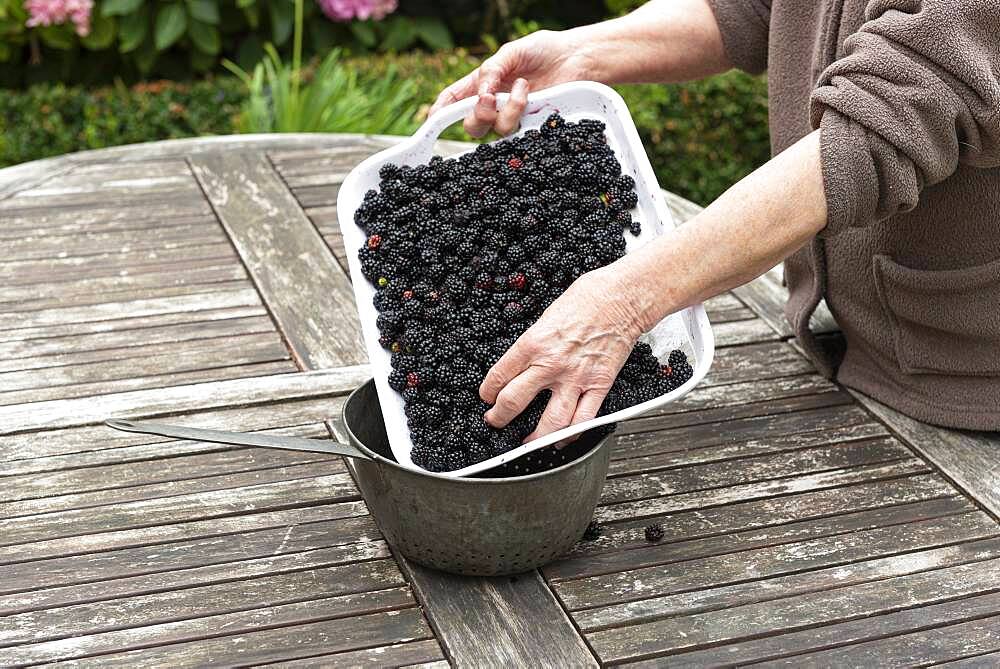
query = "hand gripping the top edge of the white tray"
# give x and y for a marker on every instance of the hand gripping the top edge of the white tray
(537, 61)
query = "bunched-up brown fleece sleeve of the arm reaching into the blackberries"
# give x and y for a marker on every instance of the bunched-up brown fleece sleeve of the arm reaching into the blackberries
(916, 93)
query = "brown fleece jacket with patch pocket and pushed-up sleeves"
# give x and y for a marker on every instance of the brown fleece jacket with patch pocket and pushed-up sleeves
(906, 94)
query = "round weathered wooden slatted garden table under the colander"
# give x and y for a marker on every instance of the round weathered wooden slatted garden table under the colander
(204, 280)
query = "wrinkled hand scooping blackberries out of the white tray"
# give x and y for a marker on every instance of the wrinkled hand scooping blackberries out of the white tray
(575, 349)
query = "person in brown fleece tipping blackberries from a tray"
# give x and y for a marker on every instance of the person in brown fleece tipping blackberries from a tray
(883, 196)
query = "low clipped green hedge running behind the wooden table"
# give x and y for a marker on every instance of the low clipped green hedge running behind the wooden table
(701, 137)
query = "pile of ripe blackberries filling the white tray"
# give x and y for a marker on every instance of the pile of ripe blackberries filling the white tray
(467, 253)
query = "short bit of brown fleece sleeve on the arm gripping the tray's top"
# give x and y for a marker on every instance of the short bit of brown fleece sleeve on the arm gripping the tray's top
(744, 27)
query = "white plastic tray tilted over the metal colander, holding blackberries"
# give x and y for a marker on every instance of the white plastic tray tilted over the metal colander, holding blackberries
(688, 330)
